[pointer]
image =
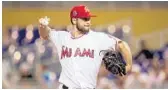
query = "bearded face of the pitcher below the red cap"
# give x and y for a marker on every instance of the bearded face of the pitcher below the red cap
(83, 24)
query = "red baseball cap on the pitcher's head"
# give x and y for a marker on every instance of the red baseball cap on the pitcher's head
(80, 11)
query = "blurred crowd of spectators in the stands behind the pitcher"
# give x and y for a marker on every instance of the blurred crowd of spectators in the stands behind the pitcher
(30, 62)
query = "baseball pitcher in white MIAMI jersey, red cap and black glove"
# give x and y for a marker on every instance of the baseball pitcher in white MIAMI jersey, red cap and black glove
(81, 51)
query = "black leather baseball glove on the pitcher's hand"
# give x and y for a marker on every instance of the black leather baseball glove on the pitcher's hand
(114, 63)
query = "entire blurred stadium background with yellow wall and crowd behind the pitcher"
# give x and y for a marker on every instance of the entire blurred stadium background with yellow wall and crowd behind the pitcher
(29, 62)
